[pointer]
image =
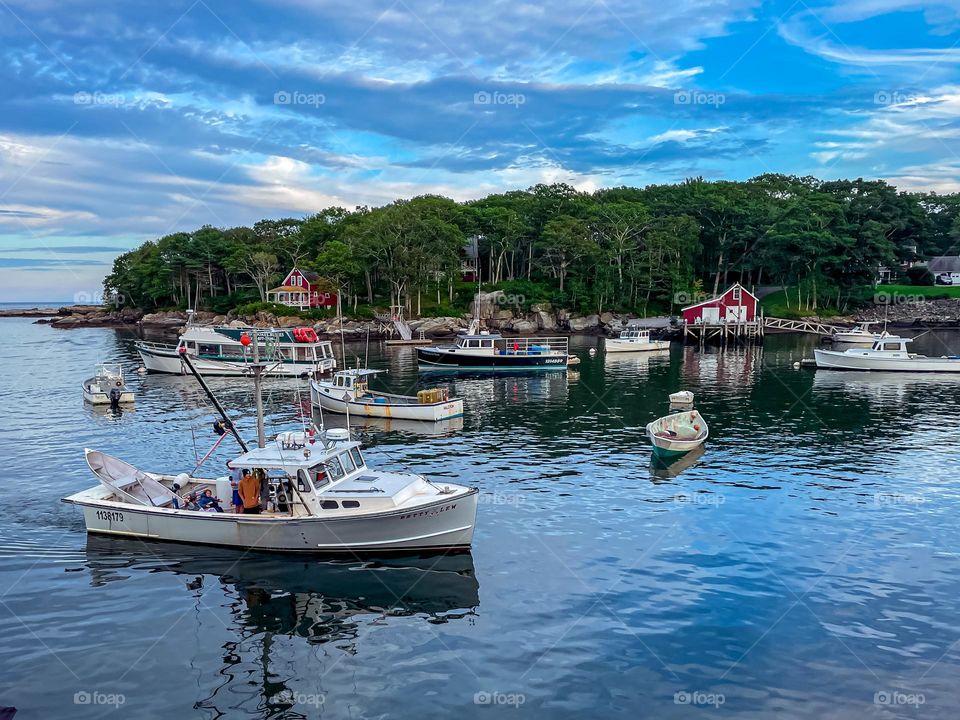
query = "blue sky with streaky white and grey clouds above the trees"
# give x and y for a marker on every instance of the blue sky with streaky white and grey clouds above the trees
(126, 121)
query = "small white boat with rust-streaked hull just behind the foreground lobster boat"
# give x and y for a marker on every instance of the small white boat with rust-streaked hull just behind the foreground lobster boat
(348, 392)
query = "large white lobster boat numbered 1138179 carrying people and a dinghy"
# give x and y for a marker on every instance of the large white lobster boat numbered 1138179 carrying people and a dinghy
(317, 495)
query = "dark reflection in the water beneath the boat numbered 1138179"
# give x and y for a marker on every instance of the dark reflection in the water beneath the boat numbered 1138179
(309, 611)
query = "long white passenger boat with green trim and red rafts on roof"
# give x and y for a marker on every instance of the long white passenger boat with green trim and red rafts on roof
(226, 351)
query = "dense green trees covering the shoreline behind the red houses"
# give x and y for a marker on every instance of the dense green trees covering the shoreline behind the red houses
(627, 249)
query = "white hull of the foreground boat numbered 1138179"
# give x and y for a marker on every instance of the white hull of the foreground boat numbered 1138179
(445, 524)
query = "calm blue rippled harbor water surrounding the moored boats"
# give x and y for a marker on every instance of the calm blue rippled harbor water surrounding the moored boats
(805, 565)
